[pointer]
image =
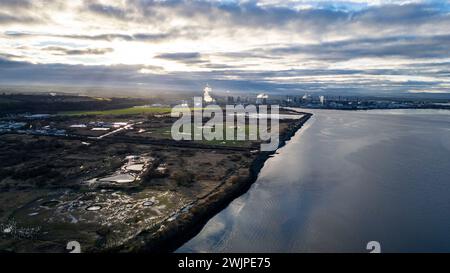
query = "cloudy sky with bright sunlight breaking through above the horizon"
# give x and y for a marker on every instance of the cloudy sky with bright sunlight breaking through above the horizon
(297, 46)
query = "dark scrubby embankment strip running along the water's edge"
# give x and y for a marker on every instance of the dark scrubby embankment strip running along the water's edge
(174, 233)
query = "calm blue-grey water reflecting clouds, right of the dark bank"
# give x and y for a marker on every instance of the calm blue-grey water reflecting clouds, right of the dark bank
(345, 179)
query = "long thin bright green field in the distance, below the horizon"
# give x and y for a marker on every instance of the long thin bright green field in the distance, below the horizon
(123, 111)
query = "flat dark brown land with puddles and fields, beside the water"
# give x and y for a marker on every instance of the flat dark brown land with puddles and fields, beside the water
(113, 179)
